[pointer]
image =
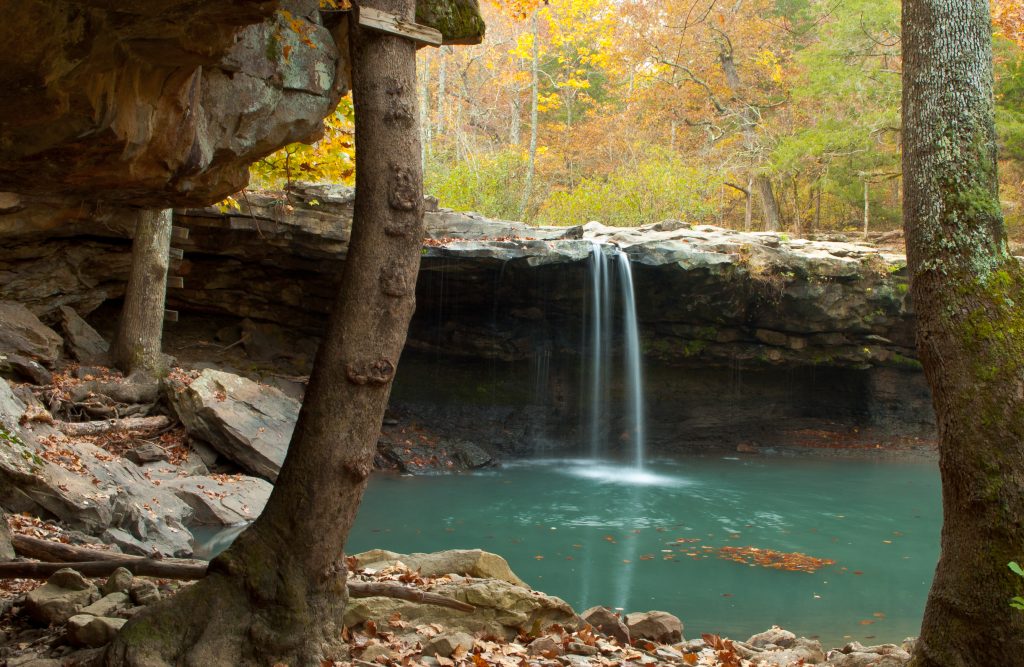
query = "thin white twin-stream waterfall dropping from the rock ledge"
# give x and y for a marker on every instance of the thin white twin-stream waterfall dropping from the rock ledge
(601, 362)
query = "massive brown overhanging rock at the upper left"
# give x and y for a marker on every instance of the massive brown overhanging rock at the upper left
(163, 106)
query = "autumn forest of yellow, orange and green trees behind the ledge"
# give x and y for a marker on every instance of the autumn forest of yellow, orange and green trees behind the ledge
(758, 115)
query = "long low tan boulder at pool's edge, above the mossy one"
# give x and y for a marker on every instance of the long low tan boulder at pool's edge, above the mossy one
(468, 563)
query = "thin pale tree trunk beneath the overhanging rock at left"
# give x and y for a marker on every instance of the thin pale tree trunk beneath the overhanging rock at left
(138, 345)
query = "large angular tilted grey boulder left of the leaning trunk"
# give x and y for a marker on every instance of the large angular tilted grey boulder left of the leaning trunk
(248, 424)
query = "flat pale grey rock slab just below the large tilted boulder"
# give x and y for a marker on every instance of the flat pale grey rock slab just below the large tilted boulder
(222, 502)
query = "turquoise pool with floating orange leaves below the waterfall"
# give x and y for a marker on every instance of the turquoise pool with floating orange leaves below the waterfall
(730, 546)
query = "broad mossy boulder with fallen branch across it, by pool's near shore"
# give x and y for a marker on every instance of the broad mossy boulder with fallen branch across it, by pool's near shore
(503, 610)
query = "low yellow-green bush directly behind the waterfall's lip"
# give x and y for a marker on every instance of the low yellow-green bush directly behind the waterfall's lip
(660, 188)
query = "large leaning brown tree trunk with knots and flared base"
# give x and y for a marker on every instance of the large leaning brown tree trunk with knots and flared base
(278, 595)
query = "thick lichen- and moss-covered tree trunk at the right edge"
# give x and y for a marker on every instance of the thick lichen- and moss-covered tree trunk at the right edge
(968, 294)
